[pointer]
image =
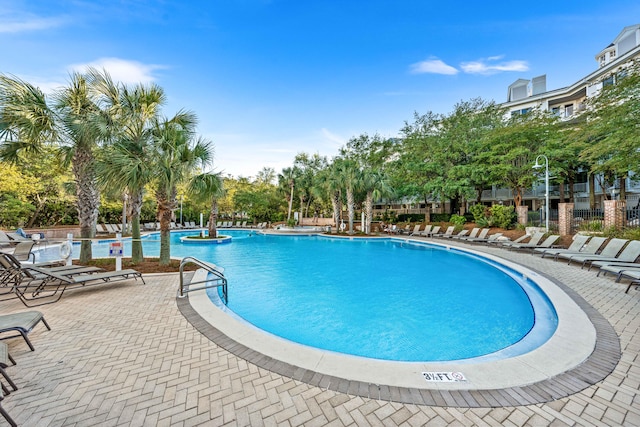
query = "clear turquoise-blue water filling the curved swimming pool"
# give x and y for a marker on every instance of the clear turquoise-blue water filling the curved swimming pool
(385, 299)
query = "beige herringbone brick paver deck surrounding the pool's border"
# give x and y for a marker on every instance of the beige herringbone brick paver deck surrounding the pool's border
(124, 354)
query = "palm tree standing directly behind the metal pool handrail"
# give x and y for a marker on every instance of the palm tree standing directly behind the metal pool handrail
(176, 154)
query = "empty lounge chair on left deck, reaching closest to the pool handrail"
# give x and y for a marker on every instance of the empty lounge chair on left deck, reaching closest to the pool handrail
(46, 287)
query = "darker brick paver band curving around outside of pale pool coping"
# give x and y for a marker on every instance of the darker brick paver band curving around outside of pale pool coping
(599, 363)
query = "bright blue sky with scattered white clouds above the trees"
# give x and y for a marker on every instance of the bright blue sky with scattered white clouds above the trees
(271, 78)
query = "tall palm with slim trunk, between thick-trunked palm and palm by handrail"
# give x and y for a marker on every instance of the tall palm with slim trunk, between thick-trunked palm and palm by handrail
(126, 164)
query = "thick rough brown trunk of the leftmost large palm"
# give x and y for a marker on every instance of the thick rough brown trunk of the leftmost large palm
(88, 199)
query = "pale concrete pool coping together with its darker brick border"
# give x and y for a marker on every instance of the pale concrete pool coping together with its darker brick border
(483, 391)
